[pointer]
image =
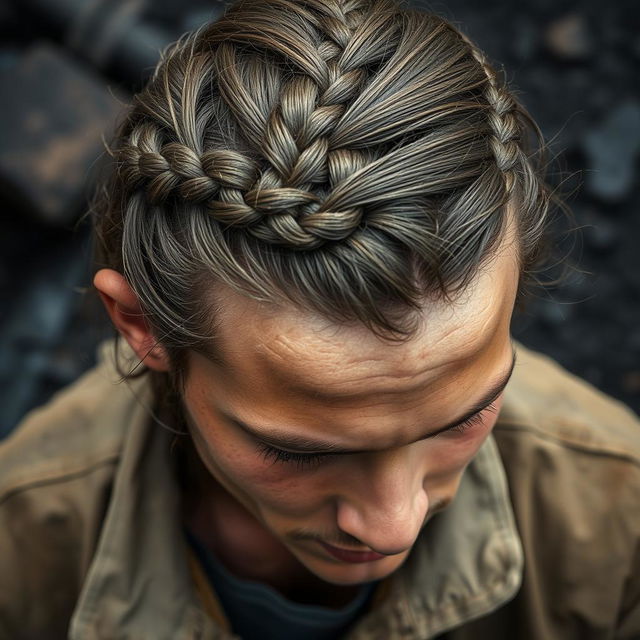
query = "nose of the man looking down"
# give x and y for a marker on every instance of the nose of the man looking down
(386, 504)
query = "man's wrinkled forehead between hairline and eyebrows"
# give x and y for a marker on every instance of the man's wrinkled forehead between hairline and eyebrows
(306, 352)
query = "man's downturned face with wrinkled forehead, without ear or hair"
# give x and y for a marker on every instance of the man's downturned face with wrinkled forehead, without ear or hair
(315, 432)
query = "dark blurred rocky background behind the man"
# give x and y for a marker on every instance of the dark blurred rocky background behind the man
(66, 67)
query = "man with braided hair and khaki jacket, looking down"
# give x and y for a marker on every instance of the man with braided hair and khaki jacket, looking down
(319, 219)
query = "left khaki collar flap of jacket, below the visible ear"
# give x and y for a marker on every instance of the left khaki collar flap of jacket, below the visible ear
(138, 584)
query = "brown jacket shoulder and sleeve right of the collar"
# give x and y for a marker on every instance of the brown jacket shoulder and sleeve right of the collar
(571, 455)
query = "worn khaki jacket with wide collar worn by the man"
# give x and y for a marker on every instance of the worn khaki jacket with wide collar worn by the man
(542, 541)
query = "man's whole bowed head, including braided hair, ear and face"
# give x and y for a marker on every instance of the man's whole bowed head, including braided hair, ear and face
(319, 223)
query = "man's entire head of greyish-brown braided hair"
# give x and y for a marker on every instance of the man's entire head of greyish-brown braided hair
(347, 156)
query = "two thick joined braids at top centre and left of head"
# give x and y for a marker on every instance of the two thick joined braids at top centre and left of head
(278, 205)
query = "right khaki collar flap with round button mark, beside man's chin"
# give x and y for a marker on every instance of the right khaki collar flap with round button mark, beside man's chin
(467, 562)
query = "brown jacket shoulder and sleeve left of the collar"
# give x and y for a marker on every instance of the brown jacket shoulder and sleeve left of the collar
(57, 470)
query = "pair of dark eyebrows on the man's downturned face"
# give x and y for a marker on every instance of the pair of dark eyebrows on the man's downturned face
(304, 444)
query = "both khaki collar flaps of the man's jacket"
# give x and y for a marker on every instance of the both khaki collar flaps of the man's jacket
(467, 562)
